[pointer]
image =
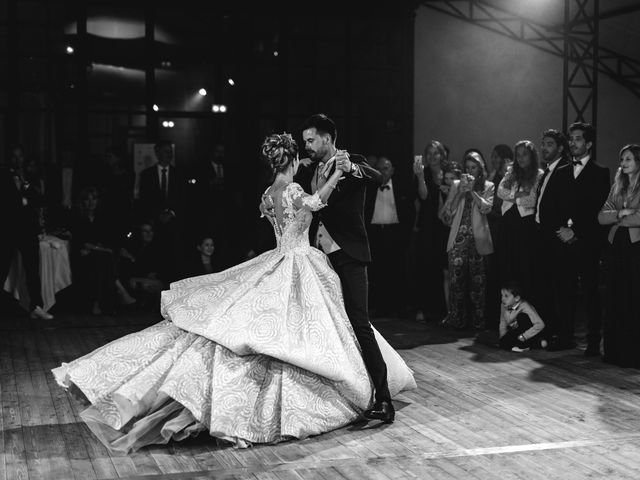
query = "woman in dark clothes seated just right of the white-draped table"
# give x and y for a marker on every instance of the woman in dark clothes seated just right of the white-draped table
(92, 257)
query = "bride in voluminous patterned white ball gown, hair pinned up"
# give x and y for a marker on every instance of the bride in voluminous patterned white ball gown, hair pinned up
(260, 353)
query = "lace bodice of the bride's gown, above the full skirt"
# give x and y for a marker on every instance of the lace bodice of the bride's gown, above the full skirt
(293, 216)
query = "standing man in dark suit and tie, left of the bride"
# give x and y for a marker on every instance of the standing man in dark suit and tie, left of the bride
(162, 199)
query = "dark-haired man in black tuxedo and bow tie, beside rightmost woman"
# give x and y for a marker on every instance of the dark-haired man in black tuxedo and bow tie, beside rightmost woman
(584, 233)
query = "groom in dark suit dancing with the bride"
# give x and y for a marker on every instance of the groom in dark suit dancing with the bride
(339, 231)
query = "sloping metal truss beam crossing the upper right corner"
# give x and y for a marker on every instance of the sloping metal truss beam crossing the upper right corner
(622, 69)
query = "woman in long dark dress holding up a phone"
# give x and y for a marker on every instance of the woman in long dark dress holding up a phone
(427, 276)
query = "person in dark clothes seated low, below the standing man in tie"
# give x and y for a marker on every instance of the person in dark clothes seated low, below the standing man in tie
(141, 266)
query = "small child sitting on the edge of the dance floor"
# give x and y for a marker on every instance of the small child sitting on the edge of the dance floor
(520, 324)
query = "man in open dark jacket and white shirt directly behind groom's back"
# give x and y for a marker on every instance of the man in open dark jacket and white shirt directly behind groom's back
(388, 216)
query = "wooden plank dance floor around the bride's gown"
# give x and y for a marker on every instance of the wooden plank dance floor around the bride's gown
(478, 413)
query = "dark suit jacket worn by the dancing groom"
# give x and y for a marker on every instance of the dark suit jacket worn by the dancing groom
(343, 216)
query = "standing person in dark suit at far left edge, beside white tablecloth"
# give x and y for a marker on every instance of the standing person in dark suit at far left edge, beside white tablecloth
(21, 203)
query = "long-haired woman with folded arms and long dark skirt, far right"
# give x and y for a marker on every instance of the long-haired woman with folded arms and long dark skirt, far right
(621, 332)
